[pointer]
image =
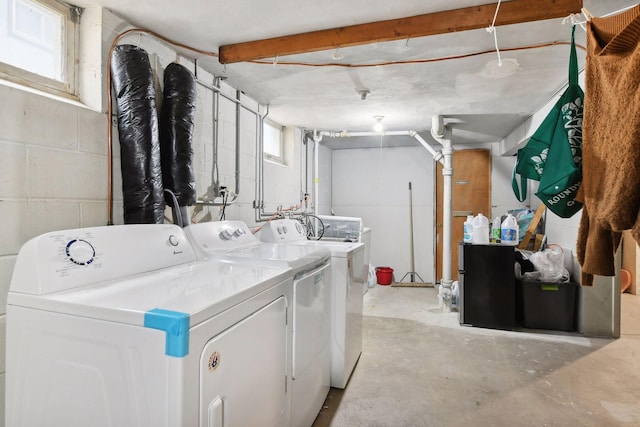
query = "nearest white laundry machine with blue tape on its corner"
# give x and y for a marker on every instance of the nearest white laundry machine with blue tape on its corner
(121, 326)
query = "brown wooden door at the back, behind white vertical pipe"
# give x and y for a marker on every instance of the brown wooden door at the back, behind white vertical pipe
(470, 194)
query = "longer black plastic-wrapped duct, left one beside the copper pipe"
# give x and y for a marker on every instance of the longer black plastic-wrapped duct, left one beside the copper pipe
(132, 81)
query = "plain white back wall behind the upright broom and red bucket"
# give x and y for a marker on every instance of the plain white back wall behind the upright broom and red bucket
(374, 184)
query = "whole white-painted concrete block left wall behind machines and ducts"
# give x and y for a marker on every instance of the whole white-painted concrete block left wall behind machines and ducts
(54, 173)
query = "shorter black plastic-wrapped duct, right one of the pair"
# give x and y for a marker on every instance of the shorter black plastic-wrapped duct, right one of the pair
(177, 116)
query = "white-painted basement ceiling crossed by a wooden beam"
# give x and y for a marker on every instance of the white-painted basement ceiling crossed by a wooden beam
(480, 108)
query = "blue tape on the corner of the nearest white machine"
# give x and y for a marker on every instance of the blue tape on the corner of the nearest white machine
(176, 326)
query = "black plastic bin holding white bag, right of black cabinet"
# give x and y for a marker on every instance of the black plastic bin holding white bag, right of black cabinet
(543, 305)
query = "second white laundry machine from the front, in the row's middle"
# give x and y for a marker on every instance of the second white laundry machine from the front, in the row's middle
(310, 369)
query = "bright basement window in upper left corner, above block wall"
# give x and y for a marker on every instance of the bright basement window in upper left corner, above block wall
(38, 45)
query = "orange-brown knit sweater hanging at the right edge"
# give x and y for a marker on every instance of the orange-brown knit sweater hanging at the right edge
(610, 187)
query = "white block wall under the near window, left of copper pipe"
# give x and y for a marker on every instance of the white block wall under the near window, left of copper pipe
(54, 177)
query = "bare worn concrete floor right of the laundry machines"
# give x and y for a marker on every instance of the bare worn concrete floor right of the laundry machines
(419, 367)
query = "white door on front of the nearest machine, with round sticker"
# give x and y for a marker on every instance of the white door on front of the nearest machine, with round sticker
(243, 371)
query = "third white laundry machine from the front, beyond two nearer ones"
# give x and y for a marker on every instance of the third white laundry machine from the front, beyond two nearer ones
(348, 274)
